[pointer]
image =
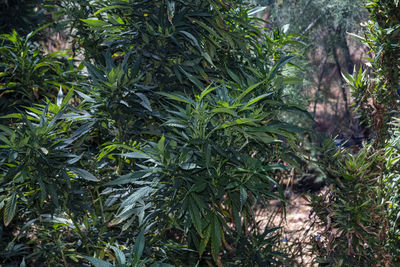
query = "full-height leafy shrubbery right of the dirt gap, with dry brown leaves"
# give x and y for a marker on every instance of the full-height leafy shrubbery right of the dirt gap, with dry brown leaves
(360, 210)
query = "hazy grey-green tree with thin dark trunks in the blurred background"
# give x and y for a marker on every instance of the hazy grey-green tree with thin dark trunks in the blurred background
(324, 25)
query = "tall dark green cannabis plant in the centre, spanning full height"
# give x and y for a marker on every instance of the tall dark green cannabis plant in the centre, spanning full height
(220, 138)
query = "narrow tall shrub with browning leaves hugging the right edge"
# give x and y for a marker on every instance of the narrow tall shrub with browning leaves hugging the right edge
(376, 98)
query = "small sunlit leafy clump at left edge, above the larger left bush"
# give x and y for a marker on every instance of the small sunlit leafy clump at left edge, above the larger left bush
(27, 76)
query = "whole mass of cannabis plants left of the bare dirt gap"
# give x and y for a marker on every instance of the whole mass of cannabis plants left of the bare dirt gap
(173, 140)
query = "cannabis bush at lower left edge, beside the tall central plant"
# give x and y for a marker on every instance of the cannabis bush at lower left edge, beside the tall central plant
(42, 175)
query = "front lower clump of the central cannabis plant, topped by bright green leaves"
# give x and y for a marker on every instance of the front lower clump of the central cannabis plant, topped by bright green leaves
(201, 175)
